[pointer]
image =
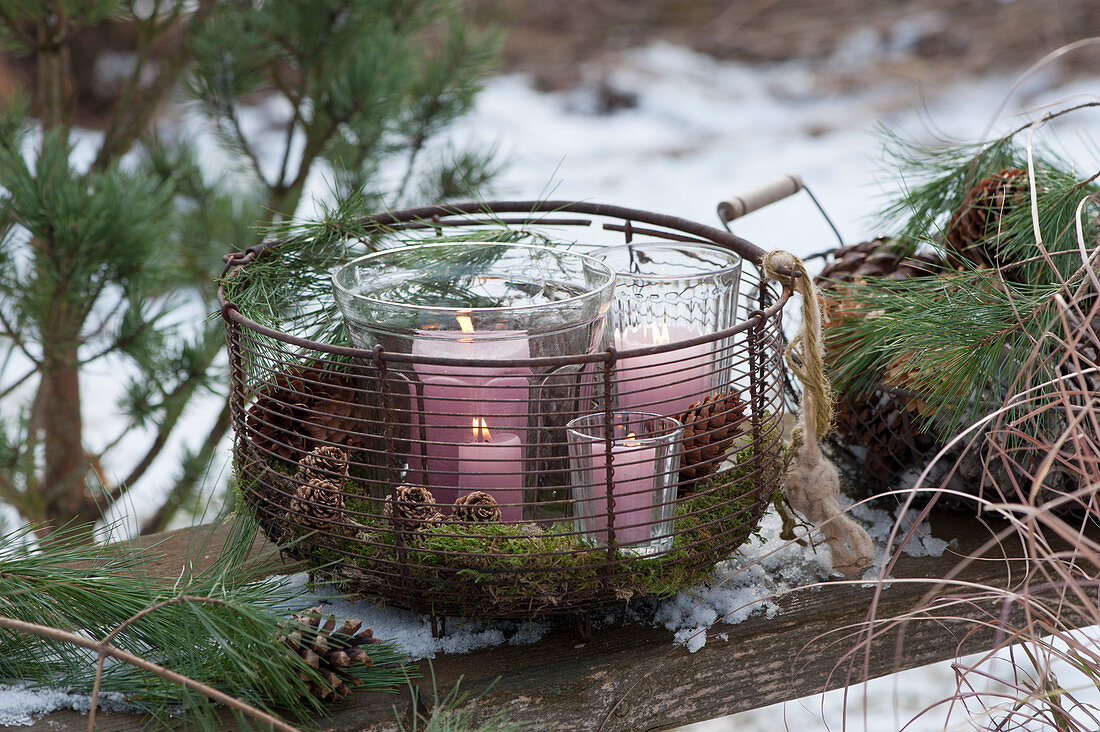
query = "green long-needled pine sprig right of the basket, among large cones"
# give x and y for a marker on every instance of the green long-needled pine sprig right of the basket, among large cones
(964, 341)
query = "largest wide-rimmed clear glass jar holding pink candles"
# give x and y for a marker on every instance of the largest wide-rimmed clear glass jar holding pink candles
(481, 424)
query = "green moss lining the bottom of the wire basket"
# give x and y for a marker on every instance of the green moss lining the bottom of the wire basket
(508, 570)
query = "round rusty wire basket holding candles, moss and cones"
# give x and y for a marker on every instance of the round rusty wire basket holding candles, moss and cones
(334, 445)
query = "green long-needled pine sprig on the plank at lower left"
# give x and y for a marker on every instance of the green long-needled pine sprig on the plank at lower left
(232, 642)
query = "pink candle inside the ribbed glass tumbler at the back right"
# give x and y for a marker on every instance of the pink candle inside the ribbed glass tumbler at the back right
(663, 384)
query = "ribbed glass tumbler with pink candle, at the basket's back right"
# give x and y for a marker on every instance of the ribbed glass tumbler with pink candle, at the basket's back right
(666, 293)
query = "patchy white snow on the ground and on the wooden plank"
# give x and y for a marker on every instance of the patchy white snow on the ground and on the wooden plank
(701, 132)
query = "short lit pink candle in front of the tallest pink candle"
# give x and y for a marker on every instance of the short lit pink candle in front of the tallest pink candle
(494, 463)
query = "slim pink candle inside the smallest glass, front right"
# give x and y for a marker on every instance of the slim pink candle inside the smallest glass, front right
(634, 490)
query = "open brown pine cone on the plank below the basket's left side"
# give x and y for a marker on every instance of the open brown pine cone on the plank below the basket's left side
(331, 653)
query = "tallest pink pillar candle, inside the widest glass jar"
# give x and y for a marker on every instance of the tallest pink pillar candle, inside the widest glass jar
(455, 395)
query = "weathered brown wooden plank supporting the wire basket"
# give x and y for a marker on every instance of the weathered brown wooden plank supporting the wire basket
(634, 679)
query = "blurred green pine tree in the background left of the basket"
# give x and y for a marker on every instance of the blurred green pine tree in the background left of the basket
(98, 260)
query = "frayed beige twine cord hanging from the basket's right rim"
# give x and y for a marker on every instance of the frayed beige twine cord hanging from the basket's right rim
(812, 486)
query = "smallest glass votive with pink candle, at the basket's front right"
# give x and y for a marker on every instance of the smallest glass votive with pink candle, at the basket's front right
(639, 501)
